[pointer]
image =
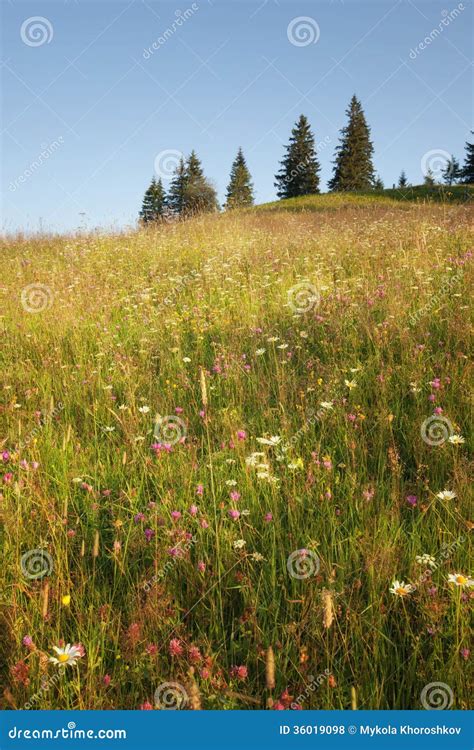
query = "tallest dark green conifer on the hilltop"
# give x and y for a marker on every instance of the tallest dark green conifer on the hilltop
(353, 168)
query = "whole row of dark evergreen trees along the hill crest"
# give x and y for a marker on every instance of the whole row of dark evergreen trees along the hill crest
(190, 192)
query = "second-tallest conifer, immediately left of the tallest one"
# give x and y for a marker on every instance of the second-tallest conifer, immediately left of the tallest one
(300, 167)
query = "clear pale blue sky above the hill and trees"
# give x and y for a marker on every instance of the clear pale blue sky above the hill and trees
(87, 111)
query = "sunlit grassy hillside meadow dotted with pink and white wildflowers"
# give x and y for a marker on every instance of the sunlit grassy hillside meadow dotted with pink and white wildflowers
(223, 442)
